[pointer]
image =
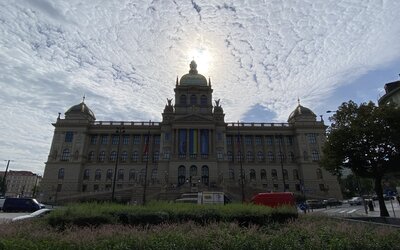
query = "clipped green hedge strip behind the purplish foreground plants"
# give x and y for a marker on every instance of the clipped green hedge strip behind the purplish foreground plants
(93, 214)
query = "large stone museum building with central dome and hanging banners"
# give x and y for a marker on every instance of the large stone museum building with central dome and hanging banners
(192, 149)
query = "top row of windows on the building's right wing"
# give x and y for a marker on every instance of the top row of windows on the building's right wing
(259, 140)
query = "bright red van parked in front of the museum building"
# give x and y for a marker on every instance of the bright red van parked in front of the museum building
(274, 199)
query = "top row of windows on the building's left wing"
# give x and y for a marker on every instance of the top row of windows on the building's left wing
(126, 139)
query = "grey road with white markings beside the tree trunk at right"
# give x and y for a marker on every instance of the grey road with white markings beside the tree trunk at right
(360, 211)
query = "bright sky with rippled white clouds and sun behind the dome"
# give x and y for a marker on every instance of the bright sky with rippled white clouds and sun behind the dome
(125, 55)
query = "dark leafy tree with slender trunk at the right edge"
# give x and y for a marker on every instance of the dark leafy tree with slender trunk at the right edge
(365, 139)
